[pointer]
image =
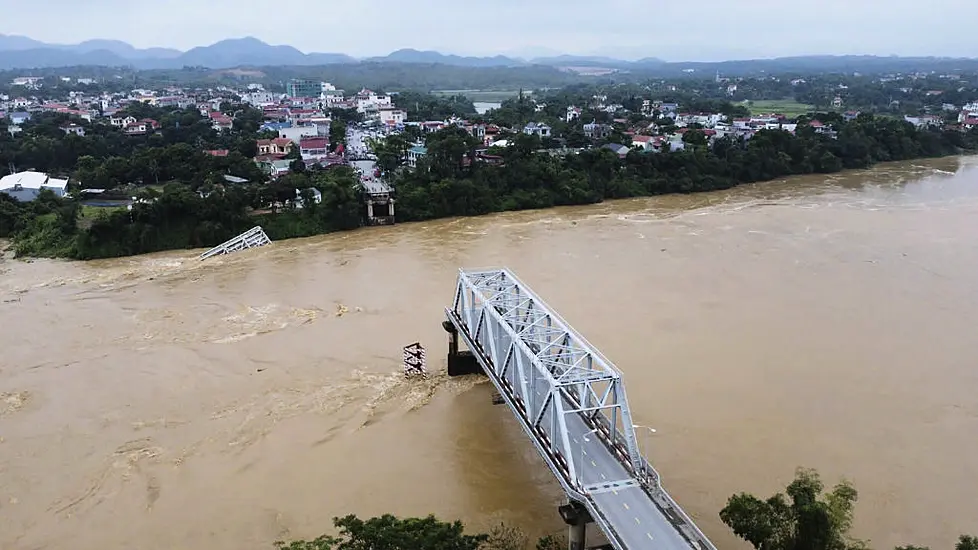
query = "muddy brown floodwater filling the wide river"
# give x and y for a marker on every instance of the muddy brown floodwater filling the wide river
(159, 402)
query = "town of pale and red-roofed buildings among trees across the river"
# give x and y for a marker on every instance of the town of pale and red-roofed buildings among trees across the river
(108, 150)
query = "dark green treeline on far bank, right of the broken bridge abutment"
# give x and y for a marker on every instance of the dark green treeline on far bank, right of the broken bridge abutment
(448, 184)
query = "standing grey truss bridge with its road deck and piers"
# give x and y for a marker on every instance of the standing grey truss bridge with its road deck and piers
(570, 400)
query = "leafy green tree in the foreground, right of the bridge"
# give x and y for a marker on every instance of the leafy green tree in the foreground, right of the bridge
(803, 518)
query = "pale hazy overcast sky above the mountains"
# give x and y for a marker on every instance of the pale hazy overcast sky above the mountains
(670, 29)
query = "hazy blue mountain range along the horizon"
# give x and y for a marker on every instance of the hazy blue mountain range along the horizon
(25, 53)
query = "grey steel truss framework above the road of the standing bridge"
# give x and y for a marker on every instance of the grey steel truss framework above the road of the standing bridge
(548, 369)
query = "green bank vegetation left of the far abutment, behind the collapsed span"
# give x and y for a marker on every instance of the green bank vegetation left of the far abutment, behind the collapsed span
(178, 217)
